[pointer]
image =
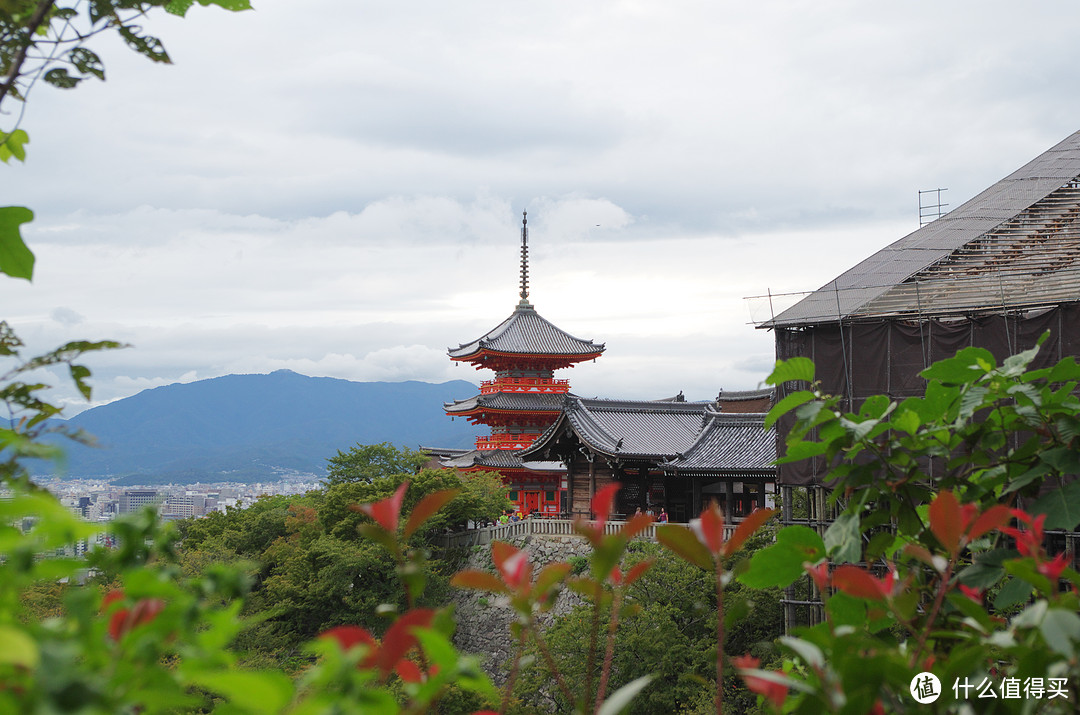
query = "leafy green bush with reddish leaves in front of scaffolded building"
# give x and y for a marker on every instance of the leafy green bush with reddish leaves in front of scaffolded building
(938, 561)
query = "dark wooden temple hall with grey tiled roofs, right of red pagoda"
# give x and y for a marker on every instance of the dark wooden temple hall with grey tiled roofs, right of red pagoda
(668, 454)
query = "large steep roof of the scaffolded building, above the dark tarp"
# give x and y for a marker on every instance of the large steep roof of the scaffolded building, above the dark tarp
(1017, 244)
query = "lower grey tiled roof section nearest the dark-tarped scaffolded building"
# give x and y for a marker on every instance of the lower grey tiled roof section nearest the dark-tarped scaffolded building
(730, 443)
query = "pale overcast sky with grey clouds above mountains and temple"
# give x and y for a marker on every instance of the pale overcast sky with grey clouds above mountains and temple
(336, 188)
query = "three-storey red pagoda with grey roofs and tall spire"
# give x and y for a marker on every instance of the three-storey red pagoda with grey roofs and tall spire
(522, 401)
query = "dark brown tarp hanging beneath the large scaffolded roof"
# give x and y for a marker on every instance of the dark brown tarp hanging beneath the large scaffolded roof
(885, 357)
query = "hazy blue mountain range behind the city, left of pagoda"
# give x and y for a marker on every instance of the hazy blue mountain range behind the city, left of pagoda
(249, 428)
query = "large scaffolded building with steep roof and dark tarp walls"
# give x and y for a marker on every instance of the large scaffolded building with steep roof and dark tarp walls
(996, 273)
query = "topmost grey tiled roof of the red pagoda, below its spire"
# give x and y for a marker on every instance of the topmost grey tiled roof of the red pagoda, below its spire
(528, 333)
